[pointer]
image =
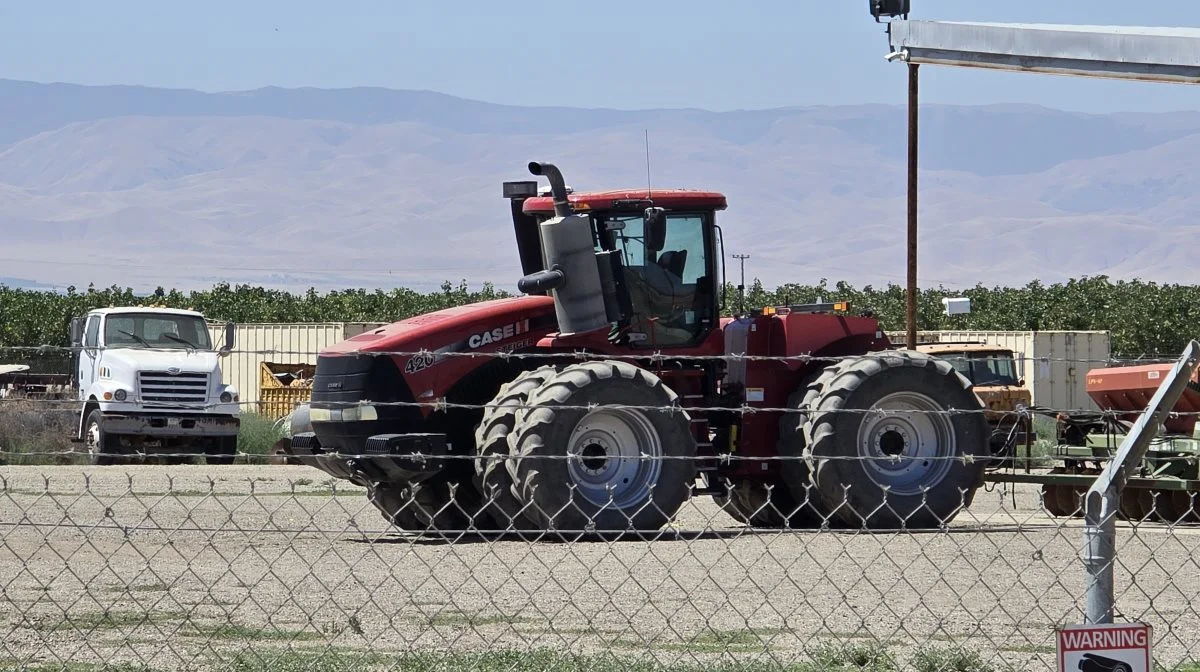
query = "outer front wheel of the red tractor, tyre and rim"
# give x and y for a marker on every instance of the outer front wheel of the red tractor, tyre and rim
(609, 469)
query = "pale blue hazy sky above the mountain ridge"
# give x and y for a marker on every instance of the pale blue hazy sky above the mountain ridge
(614, 53)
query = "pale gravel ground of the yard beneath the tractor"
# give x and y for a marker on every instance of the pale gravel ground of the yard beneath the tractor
(178, 567)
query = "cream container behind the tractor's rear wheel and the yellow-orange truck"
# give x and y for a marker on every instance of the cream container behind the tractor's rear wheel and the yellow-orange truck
(1054, 364)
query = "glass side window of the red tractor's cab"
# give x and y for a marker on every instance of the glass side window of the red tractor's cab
(671, 284)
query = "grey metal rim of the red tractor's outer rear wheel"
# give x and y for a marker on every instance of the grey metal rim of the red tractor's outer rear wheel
(907, 452)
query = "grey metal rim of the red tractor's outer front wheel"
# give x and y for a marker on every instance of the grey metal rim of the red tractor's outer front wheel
(615, 458)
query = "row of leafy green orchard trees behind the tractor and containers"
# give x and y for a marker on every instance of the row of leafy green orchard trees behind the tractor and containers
(1144, 319)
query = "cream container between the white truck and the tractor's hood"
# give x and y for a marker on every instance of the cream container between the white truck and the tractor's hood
(277, 346)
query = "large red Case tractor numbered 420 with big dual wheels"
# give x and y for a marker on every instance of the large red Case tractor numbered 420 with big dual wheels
(596, 403)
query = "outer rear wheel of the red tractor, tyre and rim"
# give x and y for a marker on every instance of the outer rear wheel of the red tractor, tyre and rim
(916, 461)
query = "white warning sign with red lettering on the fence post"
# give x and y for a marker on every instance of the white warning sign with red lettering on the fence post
(1119, 647)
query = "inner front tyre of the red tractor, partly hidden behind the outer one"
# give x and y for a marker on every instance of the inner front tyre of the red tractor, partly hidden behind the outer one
(493, 477)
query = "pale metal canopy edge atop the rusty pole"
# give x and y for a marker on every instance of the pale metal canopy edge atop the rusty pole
(1153, 55)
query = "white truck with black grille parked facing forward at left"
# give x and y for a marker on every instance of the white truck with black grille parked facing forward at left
(151, 385)
